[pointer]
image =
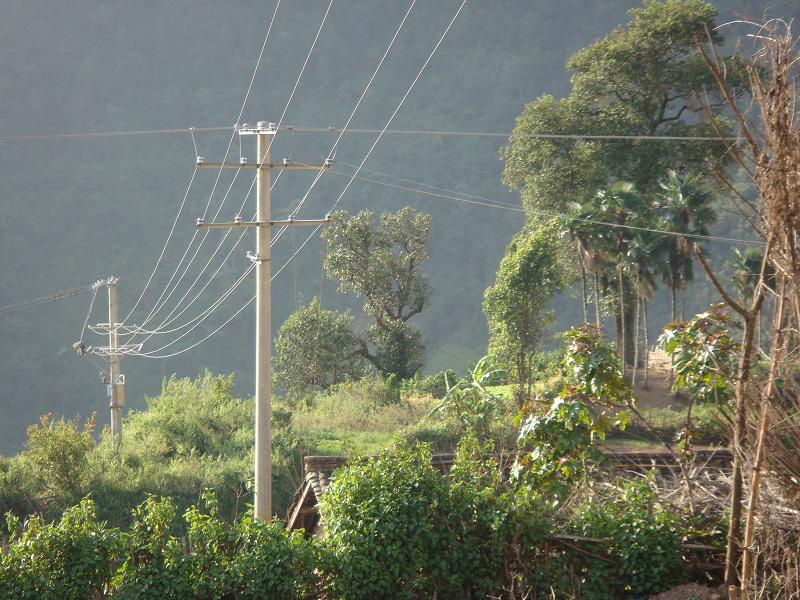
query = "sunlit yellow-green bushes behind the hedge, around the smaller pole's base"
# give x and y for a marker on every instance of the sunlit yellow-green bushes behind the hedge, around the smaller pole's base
(194, 435)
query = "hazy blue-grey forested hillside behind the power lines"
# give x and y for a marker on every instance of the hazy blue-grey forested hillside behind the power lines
(75, 210)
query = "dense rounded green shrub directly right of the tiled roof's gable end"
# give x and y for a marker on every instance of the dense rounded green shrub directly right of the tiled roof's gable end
(381, 529)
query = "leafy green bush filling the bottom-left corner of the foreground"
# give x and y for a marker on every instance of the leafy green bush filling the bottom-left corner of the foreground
(67, 560)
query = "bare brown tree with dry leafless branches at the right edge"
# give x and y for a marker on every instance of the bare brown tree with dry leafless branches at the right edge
(769, 153)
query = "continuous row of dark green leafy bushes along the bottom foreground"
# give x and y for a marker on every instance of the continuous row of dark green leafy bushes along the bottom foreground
(395, 527)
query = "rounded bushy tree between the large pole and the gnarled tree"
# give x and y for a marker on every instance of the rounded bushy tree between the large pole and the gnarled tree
(315, 349)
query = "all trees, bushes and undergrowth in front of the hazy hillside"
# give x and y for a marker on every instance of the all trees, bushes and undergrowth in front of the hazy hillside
(532, 507)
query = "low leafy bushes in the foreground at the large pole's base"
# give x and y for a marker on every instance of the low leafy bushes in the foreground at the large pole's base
(248, 559)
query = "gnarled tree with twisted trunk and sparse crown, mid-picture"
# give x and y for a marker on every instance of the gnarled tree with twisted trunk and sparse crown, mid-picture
(381, 264)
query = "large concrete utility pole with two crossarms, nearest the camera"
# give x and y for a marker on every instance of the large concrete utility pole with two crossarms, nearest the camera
(263, 259)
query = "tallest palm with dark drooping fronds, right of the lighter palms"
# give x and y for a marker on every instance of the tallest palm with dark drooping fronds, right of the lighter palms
(685, 209)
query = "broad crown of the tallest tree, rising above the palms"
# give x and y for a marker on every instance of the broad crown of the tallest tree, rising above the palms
(640, 79)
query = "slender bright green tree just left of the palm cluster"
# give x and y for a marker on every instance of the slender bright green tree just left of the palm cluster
(517, 305)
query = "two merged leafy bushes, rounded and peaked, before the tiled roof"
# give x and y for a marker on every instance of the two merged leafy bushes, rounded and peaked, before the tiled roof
(397, 528)
